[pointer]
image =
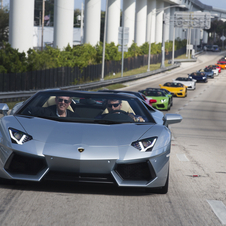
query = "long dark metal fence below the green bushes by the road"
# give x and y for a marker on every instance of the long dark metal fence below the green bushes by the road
(65, 76)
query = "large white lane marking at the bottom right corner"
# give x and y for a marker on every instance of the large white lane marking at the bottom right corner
(219, 209)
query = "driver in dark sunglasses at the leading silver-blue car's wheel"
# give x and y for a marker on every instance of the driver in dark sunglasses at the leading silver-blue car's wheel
(114, 107)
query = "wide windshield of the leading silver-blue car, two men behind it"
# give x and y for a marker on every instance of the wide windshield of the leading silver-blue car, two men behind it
(86, 107)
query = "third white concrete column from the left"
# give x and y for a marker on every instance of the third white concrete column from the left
(92, 21)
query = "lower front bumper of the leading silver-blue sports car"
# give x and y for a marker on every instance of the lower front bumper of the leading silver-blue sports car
(148, 172)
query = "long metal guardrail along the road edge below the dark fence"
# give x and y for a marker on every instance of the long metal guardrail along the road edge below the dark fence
(22, 95)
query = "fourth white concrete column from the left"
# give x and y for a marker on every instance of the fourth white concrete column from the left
(113, 21)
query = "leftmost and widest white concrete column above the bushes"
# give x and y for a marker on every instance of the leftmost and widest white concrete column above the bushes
(21, 23)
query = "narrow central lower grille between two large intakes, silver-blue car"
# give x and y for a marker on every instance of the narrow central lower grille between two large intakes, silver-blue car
(76, 177)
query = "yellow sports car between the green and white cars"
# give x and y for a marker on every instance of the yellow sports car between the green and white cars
(176, 88)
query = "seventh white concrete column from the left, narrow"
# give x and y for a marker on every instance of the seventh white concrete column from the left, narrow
(151, 20)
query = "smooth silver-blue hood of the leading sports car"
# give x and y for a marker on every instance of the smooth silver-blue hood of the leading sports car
(61, 139)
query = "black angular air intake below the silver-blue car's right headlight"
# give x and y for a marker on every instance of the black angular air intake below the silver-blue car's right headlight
(136, 171)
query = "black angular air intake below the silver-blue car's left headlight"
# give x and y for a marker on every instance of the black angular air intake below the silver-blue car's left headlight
(24, 164)
